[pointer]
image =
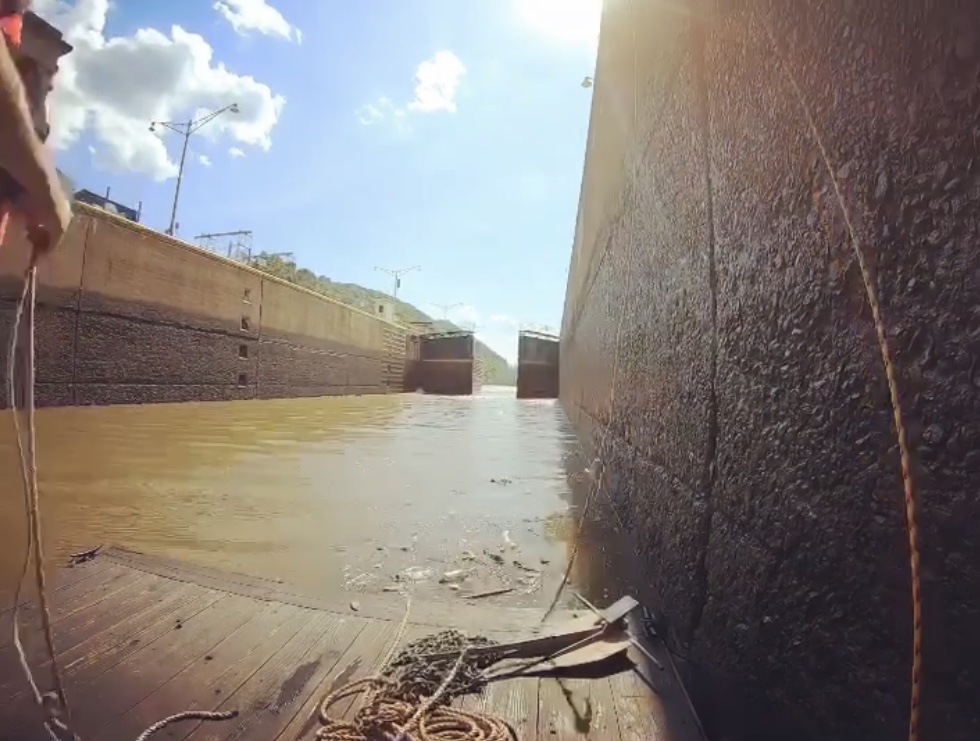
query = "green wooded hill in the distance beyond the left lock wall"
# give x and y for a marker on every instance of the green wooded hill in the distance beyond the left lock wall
(496, 371)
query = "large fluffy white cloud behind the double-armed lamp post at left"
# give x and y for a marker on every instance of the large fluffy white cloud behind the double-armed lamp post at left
(113, 87)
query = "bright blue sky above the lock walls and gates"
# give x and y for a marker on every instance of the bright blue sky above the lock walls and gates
(469, 168)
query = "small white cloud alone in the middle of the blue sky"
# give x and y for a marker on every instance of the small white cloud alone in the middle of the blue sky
(436, 84)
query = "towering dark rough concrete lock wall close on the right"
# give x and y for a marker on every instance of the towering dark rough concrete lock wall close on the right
(751, 458)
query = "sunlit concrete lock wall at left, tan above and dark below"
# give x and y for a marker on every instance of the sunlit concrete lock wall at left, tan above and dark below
(128, 315)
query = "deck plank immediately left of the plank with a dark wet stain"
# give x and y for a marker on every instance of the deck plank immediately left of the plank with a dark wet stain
(206, 683)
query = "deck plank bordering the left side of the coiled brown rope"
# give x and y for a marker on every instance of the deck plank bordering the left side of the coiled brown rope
(361, 659)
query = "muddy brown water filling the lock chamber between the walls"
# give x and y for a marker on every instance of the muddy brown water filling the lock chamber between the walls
(356, 494)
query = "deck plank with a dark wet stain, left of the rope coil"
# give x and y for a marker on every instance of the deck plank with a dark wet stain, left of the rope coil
(268, 700)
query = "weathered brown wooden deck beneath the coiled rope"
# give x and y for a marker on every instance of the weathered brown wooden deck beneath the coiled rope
(140, 638)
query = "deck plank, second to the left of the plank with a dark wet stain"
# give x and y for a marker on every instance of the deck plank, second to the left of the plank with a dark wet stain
(113, 693)
